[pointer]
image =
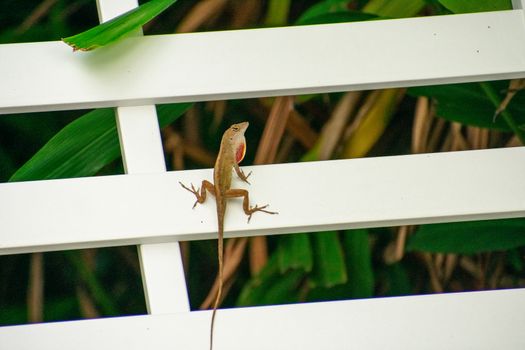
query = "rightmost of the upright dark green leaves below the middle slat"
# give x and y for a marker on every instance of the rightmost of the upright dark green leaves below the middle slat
(358, 263)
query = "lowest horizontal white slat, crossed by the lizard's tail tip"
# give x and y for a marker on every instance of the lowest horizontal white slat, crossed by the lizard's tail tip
(478, 320)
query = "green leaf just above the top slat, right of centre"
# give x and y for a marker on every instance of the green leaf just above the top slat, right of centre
(332, 12)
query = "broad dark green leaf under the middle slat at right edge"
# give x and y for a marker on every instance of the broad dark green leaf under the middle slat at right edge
(469, 237)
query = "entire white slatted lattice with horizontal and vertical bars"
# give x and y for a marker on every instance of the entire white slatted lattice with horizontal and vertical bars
(133, 208)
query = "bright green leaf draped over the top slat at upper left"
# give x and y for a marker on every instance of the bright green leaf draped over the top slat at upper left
(118, 27)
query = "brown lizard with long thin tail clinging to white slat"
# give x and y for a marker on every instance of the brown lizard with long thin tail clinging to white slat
(231, 153)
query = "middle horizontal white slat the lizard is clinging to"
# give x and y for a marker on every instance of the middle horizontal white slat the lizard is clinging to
(369, 192)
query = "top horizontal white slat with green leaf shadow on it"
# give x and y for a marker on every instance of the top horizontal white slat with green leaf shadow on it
(263, 62)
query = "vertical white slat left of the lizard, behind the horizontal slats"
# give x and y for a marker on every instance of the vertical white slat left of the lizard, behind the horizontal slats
(141, 146)
